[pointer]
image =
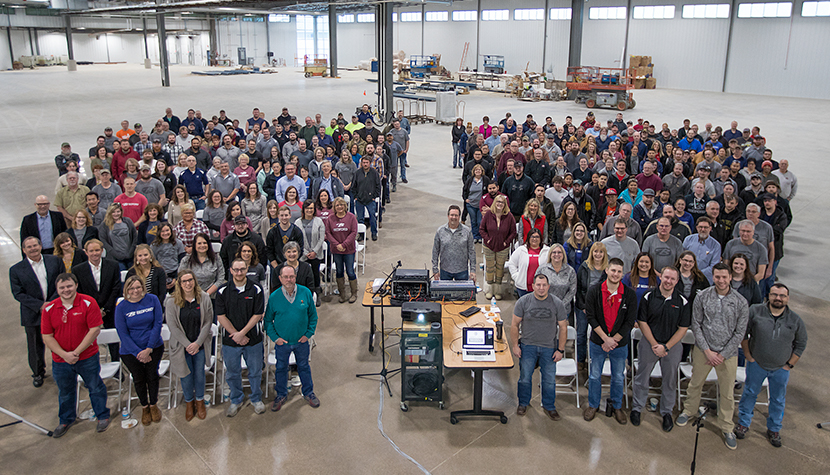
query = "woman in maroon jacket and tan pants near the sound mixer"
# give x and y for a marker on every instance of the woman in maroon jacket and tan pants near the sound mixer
(498, 230)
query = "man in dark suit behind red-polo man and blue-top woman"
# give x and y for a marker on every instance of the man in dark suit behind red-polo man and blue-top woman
(100, 279)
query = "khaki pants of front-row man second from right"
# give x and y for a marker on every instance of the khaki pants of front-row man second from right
(726, 387)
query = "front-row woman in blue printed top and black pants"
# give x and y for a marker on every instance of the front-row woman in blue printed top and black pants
(138, 320)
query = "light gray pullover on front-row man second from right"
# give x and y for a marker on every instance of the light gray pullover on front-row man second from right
(719, 323)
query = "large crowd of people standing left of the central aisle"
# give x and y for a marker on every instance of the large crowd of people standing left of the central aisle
(206, 222)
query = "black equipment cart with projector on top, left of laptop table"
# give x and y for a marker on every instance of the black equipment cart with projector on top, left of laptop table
(422, 362)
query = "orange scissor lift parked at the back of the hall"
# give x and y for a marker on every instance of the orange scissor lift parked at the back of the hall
(597, 87)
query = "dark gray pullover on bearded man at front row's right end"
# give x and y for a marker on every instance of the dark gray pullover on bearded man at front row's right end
(773, 340)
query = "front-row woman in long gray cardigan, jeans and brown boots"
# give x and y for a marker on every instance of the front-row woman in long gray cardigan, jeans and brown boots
(189, 314)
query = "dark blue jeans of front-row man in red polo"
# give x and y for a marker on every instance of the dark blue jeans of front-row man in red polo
(66, 377)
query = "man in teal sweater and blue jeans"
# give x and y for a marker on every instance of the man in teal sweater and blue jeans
(290, 320)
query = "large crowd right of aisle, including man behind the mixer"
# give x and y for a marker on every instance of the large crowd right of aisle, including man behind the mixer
(667, 230)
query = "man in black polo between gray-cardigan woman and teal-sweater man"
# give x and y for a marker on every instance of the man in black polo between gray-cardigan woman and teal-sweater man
(239, 307)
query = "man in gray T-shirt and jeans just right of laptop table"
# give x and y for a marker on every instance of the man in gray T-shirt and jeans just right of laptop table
(542, 343)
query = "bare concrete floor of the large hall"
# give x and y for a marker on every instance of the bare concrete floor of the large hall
(40, 109)
